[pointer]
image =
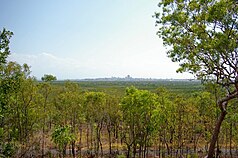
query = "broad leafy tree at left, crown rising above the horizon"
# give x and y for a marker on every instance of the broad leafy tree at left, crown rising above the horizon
(21, 114)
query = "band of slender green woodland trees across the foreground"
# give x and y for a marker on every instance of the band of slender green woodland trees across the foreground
(43, 119)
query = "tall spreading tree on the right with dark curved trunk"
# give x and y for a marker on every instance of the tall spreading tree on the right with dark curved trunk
(202, 37)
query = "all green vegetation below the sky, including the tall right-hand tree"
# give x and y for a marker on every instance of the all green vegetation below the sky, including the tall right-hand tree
(133, 119)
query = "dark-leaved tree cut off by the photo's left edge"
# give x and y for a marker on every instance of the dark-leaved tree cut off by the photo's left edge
(6, 87)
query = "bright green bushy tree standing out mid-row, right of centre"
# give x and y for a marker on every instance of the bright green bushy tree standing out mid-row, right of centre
(140, 111)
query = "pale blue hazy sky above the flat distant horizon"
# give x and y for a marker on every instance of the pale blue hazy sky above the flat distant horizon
(76, 39)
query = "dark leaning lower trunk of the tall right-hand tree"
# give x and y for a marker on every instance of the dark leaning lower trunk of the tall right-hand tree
(215, 134)
